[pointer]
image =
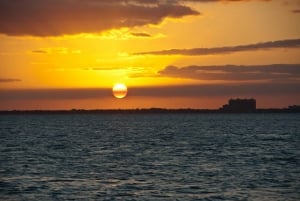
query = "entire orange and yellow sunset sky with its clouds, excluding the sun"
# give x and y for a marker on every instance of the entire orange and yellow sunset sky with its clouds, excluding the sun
(65, 54)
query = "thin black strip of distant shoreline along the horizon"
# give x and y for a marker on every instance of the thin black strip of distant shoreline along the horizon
(148, 111)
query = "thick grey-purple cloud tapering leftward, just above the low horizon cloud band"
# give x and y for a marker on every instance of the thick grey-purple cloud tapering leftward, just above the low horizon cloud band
(274, 72)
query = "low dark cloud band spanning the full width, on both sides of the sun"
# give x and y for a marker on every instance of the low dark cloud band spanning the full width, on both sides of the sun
(250, 90)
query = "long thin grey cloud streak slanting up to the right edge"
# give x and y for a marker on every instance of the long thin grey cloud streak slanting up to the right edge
(289, 43)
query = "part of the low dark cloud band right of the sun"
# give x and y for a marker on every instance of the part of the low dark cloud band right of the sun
(251, 90)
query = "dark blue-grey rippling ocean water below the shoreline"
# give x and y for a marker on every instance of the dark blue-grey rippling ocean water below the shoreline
(150, 157)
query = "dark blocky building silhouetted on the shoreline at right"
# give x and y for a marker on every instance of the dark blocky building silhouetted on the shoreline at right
(240, 105)
